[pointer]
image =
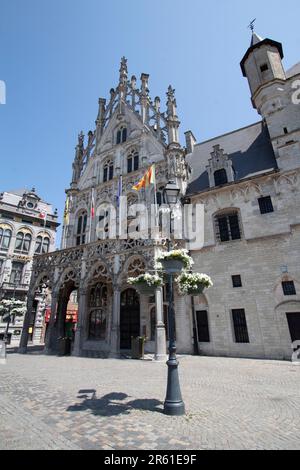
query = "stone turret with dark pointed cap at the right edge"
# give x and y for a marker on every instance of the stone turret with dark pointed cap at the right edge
(272, 92)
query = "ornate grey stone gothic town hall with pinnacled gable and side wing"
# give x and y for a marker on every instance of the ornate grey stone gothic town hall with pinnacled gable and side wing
(248, 181)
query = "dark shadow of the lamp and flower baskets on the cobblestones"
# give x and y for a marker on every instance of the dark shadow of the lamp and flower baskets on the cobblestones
(113, 404)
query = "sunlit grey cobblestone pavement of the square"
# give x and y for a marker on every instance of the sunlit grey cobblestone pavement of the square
(79, 403)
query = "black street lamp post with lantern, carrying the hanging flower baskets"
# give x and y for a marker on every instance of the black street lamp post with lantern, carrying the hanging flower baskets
(174, 405)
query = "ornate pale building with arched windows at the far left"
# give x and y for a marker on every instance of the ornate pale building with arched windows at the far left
(23, 232)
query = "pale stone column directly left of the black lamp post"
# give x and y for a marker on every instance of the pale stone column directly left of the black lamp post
(160, 330)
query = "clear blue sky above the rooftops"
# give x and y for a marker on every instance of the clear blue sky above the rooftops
(57, 57)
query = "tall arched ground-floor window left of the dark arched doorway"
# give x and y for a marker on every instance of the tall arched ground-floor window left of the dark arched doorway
(98, 312)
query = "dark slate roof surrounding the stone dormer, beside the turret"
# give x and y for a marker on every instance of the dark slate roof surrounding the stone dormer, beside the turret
(249, 148)
